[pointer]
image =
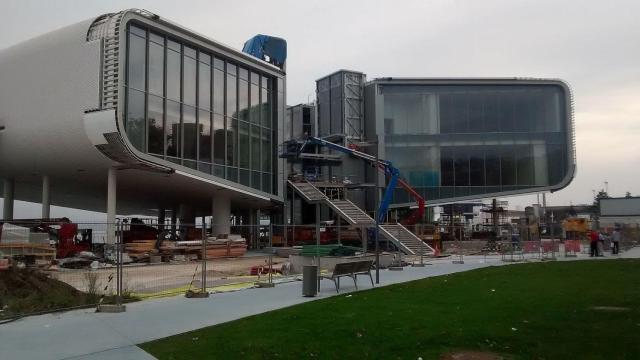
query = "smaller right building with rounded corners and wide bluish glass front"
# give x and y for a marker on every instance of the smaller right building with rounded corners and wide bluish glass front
(457, 139)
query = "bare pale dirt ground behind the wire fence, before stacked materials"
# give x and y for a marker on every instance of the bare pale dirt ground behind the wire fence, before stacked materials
(155, 278)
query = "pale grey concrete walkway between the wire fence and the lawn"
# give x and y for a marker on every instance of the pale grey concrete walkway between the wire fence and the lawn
(84, 334)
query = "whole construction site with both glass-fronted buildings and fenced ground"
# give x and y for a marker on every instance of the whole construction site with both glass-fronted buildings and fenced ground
(211, 183)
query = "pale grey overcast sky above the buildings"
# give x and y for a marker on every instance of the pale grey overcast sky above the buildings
(593, 45)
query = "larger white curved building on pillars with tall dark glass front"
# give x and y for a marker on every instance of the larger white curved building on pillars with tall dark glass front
(130, 105)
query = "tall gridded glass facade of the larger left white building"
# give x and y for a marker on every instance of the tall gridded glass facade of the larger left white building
(198, 110)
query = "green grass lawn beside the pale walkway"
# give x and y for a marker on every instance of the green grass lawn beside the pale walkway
(524, 311)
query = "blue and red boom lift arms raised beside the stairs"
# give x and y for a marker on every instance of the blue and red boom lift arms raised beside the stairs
(388, 169)
